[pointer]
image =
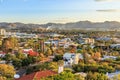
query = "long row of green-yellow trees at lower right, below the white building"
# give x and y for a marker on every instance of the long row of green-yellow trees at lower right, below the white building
(93, 68)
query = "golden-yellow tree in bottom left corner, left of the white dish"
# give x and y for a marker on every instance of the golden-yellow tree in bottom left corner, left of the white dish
(7, 71)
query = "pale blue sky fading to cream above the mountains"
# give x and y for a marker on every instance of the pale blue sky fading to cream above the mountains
(59, 11)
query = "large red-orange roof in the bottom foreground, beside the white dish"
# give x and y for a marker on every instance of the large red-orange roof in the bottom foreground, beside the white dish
(37, 75)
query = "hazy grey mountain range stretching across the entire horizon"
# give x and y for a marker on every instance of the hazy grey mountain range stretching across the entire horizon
(85, 25)
